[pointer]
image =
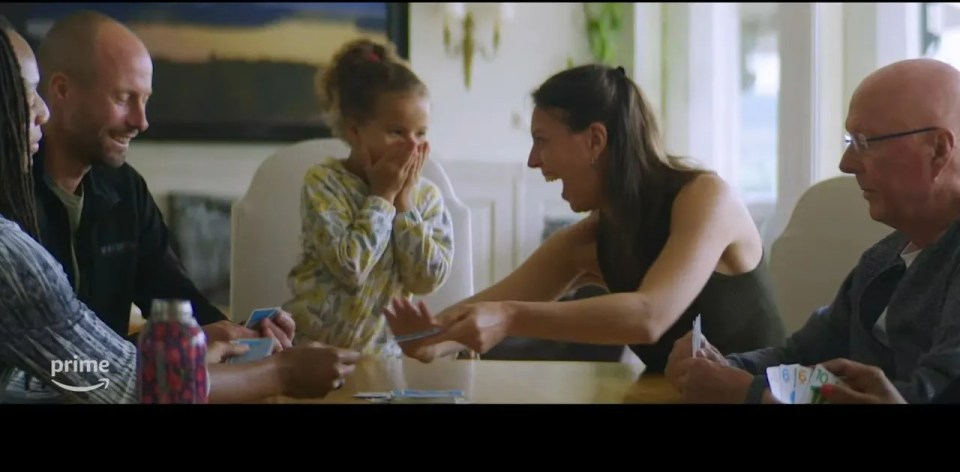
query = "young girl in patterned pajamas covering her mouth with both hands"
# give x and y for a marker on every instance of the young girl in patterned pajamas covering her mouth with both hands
(372, 229)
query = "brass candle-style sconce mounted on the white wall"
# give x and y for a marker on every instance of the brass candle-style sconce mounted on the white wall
(467, 45)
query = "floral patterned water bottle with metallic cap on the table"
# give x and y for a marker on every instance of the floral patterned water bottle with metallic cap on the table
(171, 366)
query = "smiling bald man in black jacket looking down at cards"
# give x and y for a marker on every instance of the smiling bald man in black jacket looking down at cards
(97, 217)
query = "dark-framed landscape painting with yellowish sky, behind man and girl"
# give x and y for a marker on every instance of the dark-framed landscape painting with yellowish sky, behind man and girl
(234, 71)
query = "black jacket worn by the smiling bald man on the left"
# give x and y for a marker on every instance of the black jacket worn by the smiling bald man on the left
(122, 244)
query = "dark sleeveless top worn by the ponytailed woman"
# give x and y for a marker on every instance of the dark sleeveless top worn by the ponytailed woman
(738, 312)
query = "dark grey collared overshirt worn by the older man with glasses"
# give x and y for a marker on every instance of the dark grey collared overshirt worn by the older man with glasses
(922, 353)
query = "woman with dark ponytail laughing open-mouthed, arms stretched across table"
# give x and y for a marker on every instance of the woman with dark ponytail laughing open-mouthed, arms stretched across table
(668, 240)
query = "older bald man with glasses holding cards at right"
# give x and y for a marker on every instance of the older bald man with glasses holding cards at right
(899, 308)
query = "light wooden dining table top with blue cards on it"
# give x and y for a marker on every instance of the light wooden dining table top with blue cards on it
(505, 382)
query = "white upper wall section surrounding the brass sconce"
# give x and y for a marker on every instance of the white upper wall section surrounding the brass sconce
(478, 124)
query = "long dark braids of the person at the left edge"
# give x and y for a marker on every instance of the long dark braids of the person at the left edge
(17, 200)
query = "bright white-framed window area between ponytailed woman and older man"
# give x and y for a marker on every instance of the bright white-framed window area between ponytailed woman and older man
(730, 72)
